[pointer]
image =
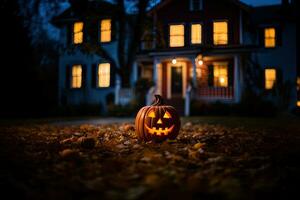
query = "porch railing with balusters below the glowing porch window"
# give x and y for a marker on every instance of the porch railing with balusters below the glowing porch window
(215, 92)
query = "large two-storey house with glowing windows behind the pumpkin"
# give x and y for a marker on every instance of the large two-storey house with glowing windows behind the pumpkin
(208, 50)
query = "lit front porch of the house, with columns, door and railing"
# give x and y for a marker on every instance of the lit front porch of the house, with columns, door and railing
(208, 78)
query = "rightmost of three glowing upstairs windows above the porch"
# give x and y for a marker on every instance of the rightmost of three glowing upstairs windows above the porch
(220, 33)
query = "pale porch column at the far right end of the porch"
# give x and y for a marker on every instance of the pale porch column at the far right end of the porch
(237, 79)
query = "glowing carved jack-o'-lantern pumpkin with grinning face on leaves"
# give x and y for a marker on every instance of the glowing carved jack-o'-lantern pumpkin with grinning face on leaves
(157, 122)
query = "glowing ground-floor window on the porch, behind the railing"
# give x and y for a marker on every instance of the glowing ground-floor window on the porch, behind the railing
(220, 75)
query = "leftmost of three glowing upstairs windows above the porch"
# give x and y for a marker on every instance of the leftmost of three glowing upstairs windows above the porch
(176, 35)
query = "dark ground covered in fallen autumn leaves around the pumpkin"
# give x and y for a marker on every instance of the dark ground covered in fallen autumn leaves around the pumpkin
(212, 158)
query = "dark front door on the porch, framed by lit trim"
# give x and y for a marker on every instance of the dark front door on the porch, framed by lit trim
(176, 81)
